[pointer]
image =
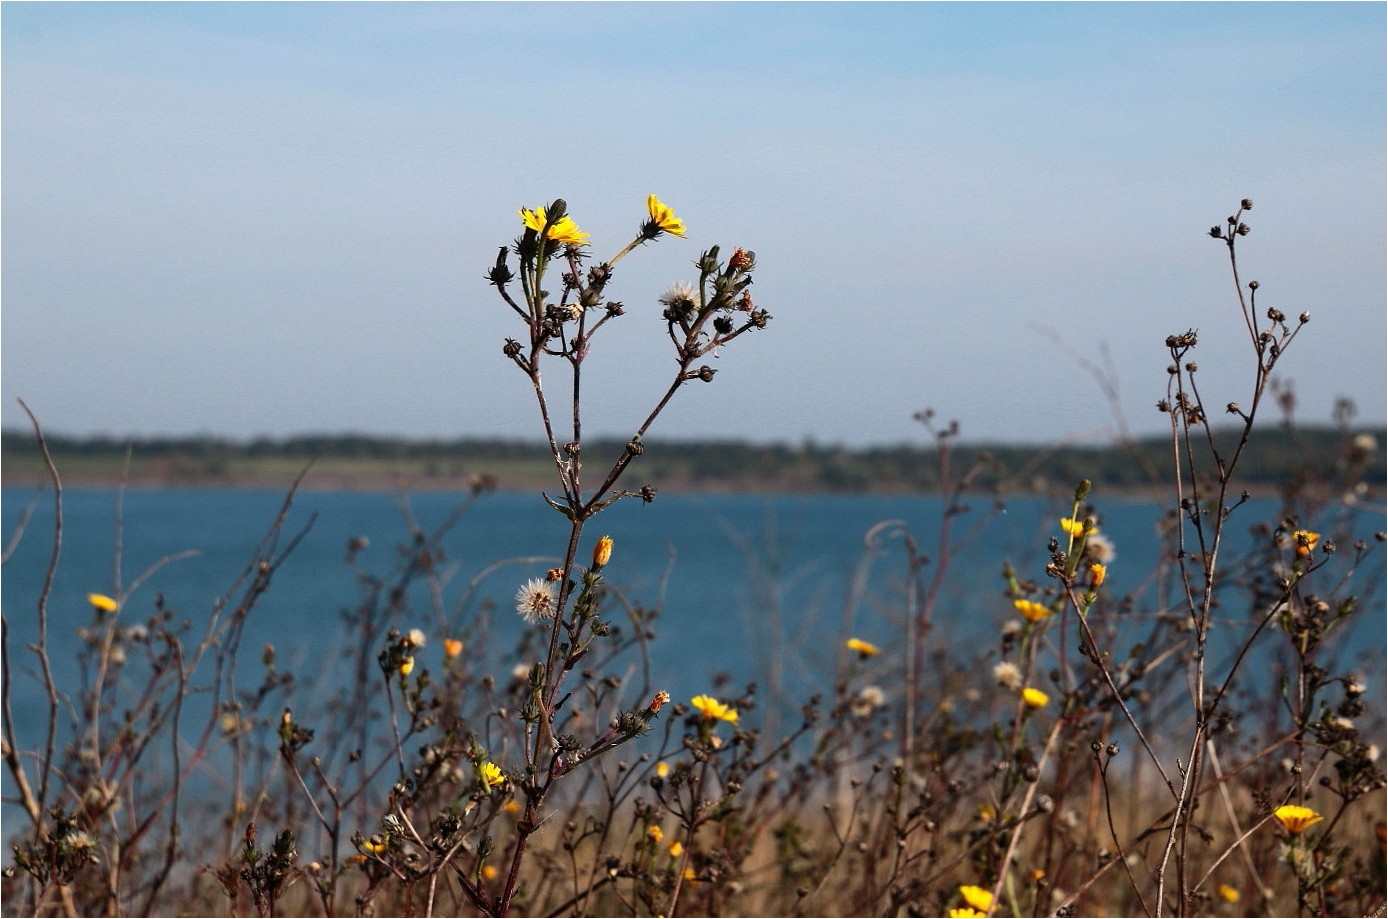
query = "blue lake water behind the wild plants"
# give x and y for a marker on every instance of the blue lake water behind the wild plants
(743, 582)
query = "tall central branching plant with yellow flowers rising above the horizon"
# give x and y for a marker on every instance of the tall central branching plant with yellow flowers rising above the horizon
(700, 319)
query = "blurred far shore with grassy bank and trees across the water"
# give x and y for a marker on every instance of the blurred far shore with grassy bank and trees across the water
(1273, 460)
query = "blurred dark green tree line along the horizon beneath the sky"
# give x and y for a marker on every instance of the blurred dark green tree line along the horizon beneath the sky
(1279, 457)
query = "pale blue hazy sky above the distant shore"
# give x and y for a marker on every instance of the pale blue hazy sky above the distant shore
(266, 220)
